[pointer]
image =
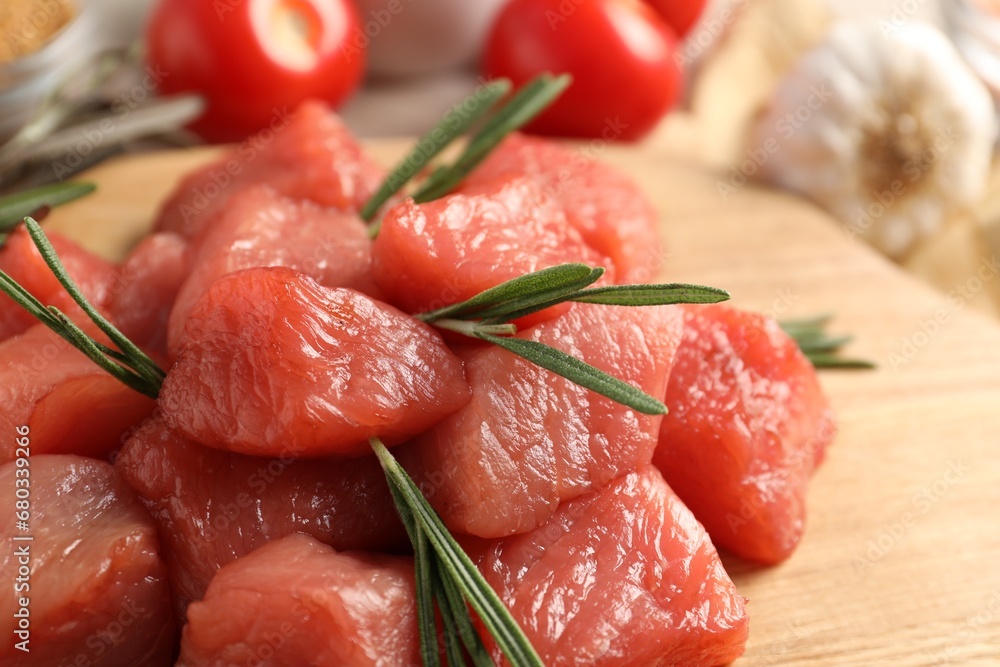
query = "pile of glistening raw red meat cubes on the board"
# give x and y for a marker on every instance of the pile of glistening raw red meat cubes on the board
(240, 519)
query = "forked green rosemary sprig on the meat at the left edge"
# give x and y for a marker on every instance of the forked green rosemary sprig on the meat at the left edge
(128, 363)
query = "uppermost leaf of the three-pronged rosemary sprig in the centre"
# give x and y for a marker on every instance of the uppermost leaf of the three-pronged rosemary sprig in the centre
(531, 287)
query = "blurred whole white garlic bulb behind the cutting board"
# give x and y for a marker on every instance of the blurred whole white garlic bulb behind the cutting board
(887, 129)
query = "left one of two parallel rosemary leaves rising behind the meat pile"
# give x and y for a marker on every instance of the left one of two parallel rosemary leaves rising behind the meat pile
(455, 123)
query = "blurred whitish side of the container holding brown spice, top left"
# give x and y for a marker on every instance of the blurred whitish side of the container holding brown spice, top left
(25, 81)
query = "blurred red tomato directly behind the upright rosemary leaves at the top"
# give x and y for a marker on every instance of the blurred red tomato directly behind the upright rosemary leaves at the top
(620, 53)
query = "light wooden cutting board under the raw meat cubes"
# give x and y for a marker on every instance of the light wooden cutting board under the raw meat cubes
(900, 563)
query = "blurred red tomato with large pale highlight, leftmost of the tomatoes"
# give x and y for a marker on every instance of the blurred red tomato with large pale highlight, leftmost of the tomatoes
(254, 59)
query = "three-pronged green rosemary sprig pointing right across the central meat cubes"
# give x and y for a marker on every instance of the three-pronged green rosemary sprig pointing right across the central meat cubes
(484, 316)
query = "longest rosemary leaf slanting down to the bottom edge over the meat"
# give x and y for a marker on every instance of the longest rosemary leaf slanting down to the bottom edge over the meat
(456, 566)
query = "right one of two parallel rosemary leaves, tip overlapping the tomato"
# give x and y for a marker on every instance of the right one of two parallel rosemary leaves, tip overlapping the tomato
(525, 106)
